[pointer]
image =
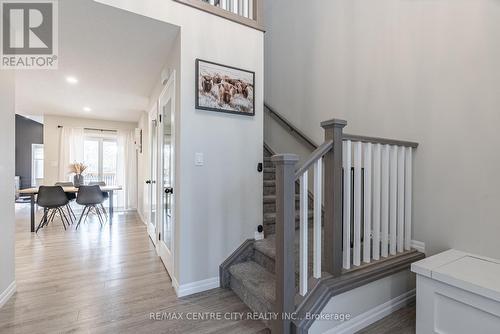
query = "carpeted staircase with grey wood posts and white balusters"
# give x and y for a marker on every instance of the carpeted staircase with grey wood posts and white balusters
(302, 272)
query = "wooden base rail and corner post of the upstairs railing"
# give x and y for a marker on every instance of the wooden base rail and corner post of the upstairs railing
(255, 23)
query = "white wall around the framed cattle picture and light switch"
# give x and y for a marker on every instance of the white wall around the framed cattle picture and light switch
(219, 204)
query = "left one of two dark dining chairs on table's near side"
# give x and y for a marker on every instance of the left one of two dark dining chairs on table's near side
(52, 200)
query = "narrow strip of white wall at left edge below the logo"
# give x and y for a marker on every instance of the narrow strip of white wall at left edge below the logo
(7, 160)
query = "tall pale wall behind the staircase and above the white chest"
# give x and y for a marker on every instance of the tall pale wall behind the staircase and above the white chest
(427, 71)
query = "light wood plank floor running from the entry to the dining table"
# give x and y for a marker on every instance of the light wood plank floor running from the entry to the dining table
(105, 280)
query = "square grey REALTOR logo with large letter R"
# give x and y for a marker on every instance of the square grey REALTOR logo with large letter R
(29, 34)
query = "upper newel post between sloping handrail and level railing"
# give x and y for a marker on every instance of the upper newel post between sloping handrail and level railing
(333, 197)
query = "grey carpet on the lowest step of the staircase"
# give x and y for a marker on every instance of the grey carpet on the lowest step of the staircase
(256, 279)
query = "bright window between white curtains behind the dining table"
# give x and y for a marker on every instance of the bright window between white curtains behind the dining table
(101, 155)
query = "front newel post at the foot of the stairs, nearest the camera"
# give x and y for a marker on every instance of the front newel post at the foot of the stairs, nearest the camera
(285, 236)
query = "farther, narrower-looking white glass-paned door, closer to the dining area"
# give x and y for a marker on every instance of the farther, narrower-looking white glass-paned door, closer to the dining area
(153, 175)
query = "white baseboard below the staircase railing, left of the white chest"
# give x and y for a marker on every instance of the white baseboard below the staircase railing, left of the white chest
(375, 314)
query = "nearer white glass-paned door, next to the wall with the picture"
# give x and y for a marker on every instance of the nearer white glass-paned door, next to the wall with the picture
(166, 184)
